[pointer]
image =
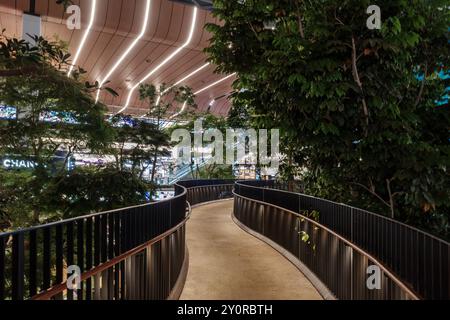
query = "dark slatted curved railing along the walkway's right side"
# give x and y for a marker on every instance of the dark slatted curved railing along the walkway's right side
(413, 263)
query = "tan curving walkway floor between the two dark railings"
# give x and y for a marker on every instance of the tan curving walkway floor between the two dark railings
(226, 263)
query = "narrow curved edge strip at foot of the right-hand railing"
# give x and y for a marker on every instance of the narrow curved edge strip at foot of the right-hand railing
(315, 281)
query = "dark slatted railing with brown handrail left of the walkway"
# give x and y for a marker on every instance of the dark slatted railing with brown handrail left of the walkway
(131, 253)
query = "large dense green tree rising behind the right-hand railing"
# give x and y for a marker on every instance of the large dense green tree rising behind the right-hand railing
(350, 100)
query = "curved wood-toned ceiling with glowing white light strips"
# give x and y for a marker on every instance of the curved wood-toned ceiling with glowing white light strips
(116, 26)
